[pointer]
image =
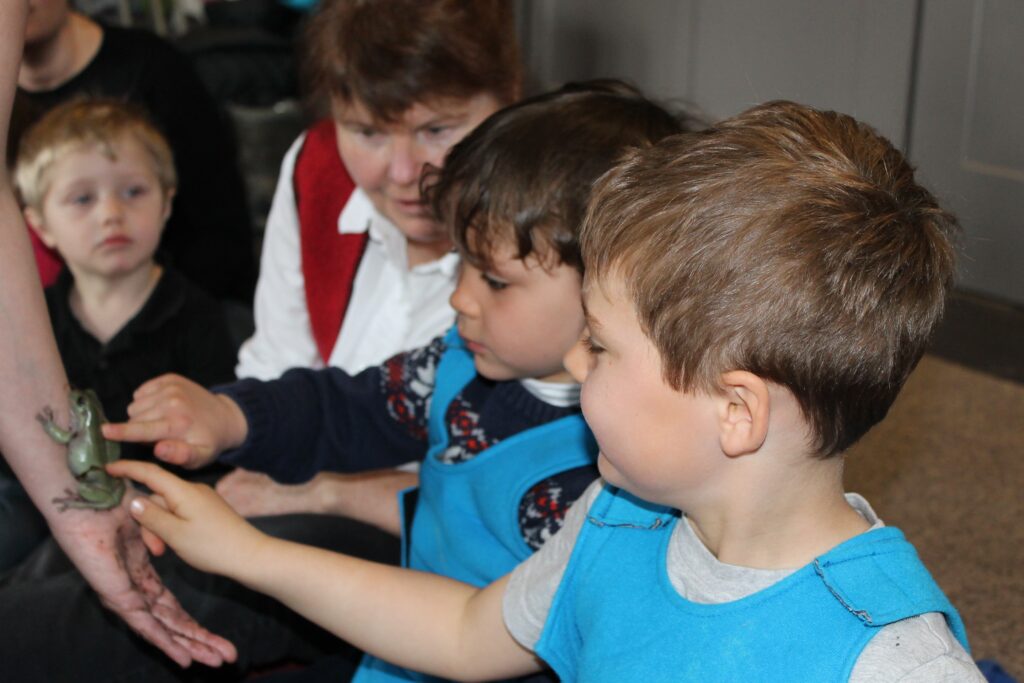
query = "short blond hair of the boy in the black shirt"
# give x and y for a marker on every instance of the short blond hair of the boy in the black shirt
(84, 122)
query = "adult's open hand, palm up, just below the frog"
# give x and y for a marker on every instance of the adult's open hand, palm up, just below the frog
(109, 551)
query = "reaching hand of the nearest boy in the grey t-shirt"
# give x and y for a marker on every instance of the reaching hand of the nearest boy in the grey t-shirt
(192, 520)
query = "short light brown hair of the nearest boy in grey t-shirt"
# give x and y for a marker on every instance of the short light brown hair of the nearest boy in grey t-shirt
(788, 242)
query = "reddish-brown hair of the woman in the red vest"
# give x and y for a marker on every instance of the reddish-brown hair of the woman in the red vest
(391, 55)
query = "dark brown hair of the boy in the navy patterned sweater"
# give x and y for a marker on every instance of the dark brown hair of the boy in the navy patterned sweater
(525, 176)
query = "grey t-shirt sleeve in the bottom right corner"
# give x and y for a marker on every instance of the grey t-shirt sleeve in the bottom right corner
(921, 650)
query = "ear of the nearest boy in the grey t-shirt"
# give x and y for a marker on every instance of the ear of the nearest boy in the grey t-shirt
(744, 412)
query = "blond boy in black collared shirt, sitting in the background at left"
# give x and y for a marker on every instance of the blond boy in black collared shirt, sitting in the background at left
(98, 181)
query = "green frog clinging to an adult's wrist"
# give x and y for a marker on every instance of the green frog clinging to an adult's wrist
(89, 452)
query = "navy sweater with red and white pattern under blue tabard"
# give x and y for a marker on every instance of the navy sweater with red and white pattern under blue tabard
(326, 420)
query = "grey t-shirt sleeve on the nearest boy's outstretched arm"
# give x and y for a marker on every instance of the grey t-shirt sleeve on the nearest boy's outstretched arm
(533, 585)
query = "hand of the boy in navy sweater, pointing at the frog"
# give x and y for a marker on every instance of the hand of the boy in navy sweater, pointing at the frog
(190, 425)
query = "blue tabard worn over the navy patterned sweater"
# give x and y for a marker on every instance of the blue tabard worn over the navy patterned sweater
(466, 524)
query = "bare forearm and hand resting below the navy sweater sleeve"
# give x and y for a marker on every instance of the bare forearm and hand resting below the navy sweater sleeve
(371, 498)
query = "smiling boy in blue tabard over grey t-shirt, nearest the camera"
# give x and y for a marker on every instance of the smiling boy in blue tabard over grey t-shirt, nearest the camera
(756, 296)
